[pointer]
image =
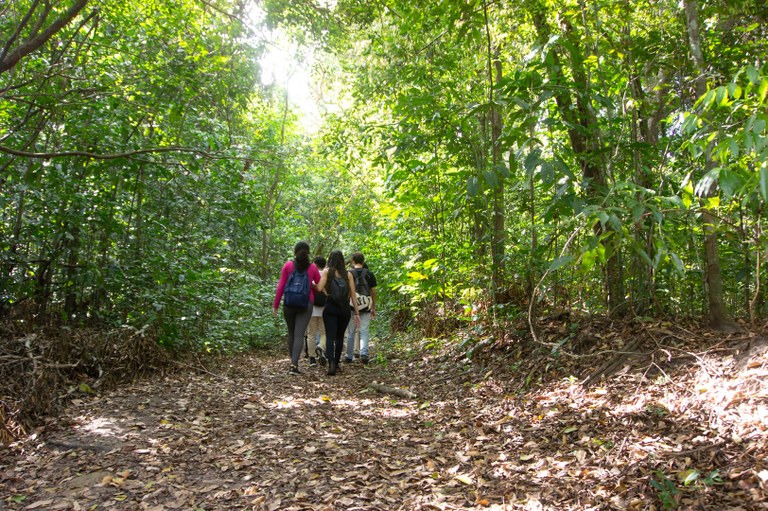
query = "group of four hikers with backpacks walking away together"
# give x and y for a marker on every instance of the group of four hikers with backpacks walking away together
(325, 301)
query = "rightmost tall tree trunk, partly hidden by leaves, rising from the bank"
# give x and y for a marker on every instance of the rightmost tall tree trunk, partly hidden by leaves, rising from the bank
(718, 315)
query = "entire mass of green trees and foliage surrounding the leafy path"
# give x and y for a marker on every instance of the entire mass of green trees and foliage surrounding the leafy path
(554, 153)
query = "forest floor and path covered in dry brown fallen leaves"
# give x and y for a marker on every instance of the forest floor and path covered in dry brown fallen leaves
(672, 429)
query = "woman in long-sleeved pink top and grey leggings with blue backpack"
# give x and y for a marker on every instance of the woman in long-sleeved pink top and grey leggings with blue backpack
(297, 319)
